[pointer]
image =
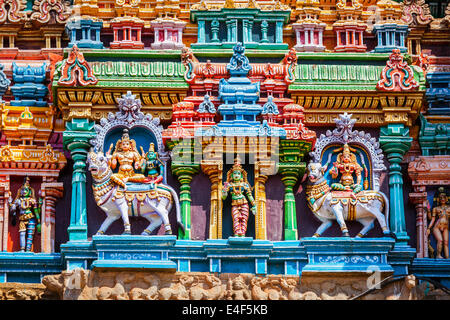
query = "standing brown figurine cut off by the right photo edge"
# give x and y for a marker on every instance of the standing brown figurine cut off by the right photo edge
(439, 222)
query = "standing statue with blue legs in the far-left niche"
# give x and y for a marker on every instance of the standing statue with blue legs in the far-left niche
(29, 214)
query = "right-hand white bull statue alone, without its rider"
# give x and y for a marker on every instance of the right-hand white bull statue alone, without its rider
(364, 208)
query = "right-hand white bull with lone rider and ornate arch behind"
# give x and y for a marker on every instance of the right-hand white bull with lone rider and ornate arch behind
(347, 199)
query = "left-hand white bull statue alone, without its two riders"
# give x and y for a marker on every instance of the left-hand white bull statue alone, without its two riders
(152, 202)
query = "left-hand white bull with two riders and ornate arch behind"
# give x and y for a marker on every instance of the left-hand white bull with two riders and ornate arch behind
(137, 188)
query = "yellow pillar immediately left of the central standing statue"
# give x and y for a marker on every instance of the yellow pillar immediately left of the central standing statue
(214, 171)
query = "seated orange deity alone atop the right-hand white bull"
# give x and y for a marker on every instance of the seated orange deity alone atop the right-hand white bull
(346, 165)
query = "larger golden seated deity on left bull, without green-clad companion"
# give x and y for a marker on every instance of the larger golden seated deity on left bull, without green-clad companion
(126, 154)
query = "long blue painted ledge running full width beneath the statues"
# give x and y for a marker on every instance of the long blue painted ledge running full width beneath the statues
(232, 255)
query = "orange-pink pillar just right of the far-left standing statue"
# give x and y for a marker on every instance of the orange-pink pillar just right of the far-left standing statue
(50, 192)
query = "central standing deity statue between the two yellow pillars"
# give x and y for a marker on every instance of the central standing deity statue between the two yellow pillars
(239, 188)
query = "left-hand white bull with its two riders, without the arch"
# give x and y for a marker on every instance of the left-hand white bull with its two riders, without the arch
(127, 193)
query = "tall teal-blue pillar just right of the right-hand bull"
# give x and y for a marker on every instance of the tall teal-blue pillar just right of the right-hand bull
(395, 142)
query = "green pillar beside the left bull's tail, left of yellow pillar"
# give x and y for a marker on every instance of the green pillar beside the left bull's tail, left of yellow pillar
(185, 173)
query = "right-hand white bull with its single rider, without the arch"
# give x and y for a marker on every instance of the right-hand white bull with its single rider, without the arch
(345, 200)
